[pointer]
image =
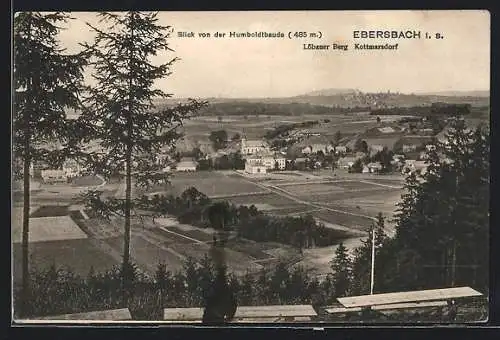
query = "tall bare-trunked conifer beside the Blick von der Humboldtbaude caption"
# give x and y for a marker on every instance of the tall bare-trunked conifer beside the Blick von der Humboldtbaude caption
(119, 108)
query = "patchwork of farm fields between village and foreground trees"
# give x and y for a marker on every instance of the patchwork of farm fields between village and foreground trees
(342, 202)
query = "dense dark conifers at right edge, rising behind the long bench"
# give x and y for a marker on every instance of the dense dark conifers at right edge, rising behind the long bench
(442, 222)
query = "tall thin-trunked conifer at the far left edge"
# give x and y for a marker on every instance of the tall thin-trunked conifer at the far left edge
(47, 82)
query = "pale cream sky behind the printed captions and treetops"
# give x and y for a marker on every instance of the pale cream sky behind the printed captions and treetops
(272, 67)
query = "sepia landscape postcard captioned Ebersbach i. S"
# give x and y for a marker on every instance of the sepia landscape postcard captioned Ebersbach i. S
(258, 167)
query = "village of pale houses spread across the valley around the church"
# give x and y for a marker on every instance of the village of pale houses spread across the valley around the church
(405, 143)
